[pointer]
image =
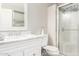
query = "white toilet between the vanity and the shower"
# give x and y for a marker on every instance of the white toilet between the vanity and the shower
(52, 51)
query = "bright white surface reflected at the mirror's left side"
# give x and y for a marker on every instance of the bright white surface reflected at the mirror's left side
(5, 19)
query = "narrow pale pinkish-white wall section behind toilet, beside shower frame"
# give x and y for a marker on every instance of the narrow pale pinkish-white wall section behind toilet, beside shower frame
(52, 24)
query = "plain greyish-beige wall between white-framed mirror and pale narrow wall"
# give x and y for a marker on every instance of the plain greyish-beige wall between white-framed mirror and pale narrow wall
(37, 17)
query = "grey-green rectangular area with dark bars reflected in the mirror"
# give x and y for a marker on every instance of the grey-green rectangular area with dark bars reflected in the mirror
(18, 19)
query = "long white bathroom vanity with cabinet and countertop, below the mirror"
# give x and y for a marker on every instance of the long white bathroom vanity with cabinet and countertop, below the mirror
(29, 46)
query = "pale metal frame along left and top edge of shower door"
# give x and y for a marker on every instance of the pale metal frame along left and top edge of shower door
(58, 24)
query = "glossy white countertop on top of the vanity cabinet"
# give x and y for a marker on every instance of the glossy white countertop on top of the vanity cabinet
(19, 38)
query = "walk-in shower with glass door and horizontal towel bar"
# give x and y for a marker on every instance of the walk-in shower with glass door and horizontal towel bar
(68, 29)
